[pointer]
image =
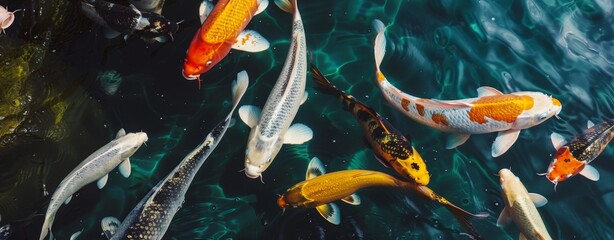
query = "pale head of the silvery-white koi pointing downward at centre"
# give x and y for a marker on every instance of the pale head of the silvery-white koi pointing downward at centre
(259, 155)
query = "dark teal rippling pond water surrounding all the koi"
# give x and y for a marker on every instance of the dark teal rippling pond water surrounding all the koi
(436, 49)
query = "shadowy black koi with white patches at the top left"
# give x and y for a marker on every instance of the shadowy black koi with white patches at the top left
(119, 19)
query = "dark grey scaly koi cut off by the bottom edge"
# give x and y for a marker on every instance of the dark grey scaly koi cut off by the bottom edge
(152, 216)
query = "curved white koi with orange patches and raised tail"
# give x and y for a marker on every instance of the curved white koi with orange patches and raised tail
(491, 111)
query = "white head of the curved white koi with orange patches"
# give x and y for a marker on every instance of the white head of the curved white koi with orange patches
(543, 108)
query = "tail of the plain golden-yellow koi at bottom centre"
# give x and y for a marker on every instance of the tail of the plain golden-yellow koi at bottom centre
(463, 217)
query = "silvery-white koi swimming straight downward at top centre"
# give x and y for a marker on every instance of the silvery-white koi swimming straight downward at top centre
(271, 126)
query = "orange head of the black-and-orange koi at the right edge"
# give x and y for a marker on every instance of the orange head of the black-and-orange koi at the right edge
(563, 166)
